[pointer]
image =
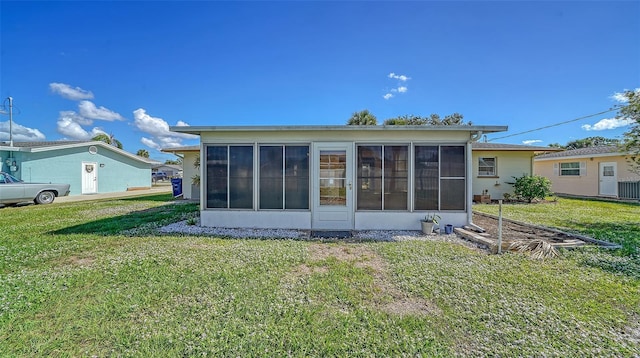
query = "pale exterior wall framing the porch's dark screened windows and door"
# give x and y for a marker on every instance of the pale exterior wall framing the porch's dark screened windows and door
(294, 219)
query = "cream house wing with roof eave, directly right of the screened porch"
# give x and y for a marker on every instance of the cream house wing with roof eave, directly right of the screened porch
(496, 165)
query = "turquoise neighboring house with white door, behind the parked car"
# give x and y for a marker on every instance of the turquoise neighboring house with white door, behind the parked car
(90, 167)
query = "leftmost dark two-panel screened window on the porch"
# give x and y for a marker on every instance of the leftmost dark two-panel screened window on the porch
(230, 176)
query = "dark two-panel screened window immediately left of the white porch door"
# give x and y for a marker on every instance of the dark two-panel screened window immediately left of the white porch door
(284, 177)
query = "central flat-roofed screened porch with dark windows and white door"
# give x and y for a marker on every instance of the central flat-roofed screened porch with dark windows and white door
(335, 177)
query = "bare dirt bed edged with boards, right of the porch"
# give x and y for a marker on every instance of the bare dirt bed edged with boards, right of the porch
(514, 232)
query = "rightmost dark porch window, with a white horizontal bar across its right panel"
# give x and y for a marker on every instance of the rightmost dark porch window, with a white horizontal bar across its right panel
(440, 179)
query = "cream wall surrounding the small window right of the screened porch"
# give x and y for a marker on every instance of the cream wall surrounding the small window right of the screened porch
(509, 164)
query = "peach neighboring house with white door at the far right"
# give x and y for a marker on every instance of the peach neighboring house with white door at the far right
(595, 172)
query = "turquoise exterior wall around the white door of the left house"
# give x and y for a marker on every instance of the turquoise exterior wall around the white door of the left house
(115, 172)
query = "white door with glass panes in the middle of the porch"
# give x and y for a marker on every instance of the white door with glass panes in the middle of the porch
(332, 186)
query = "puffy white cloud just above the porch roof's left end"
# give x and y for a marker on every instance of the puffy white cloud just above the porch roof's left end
(158, 128)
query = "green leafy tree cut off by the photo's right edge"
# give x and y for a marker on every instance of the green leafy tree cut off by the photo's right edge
(630, 111)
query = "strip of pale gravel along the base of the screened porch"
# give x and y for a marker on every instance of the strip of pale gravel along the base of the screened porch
(366, 235)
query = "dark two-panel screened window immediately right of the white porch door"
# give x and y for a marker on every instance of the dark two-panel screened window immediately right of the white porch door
(382, 182)
